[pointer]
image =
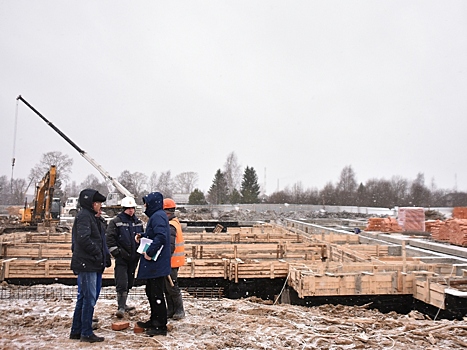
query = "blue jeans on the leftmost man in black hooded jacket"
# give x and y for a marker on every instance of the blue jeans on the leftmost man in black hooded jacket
(85, 302)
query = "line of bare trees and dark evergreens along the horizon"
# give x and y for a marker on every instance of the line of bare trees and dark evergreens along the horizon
(231, 185)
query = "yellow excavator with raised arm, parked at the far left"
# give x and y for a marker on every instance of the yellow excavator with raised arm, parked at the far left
(45, 209)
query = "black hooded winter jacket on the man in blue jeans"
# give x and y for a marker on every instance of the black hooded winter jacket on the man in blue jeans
(90, 253)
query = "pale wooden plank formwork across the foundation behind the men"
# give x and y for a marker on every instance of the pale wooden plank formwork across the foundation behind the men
(315, 264)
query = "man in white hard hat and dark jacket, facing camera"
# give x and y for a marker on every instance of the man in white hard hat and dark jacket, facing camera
(122, 245)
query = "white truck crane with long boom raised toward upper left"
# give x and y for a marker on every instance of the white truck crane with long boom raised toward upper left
(113, 203)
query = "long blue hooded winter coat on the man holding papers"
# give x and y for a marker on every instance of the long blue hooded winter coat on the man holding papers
(158, 230)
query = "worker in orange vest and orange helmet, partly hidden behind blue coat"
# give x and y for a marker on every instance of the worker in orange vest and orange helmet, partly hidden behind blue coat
(174, 299)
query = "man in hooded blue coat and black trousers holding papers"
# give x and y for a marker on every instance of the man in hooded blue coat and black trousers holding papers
(154, 266)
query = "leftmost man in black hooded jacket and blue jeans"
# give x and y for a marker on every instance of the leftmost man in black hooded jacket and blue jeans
(89, 259)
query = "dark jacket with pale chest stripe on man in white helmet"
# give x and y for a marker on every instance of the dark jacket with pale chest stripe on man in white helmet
(121, 234)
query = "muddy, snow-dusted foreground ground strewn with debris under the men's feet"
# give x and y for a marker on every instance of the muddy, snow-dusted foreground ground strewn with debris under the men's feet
(227, 324)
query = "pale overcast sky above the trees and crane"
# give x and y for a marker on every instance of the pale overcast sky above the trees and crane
(297, 89)
